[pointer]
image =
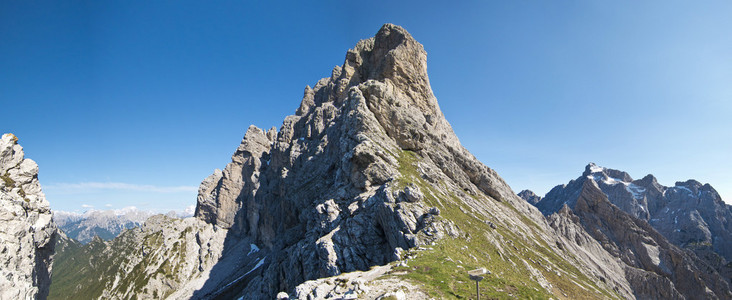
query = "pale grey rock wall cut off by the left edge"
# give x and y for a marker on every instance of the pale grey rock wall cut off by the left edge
(27, 232)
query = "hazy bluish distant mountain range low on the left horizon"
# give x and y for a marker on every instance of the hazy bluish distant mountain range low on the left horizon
(106, 224)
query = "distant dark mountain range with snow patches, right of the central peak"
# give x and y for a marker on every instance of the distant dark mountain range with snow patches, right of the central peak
(689, 215)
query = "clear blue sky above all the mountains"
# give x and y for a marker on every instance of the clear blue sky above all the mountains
(135, 102)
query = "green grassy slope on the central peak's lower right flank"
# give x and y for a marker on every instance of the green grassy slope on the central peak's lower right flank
(509, 253)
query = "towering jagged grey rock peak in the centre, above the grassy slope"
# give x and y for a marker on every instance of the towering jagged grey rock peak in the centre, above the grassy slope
(336, 189)
